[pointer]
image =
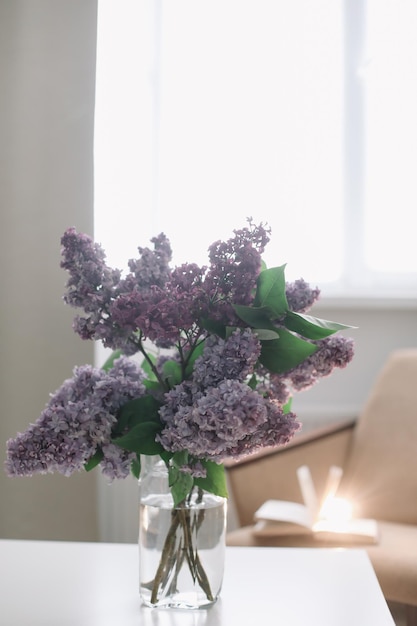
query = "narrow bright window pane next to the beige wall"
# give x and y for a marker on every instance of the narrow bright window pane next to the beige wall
(123, 138)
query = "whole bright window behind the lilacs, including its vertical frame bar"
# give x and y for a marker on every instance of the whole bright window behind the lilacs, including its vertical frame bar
(299, 114)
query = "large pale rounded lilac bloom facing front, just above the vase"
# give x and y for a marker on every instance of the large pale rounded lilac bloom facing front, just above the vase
(216, 421)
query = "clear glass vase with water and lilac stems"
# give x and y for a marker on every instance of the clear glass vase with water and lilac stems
(181, 549)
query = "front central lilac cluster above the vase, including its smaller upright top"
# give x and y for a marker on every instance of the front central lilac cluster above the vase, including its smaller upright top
(216, 414)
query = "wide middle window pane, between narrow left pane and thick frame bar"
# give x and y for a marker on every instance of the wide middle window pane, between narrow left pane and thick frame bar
(250, 125)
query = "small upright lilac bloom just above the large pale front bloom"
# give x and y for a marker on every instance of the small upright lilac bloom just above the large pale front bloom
(232, 358)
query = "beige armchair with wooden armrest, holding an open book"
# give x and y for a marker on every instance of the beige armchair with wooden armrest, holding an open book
(378, 453)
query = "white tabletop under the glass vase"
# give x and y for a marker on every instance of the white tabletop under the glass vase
(92, 584)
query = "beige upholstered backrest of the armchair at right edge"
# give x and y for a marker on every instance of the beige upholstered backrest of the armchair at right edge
(380, 474)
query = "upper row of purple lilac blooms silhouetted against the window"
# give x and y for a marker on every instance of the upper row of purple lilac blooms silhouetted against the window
(154, 301)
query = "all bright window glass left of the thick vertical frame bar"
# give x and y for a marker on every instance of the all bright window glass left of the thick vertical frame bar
(208, 113)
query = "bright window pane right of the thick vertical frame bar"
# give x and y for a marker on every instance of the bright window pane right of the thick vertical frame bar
(391, 136)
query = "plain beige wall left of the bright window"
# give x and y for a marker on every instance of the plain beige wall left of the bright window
(47, 67)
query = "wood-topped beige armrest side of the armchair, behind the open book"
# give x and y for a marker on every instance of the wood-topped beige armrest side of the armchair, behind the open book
(273, 473)
